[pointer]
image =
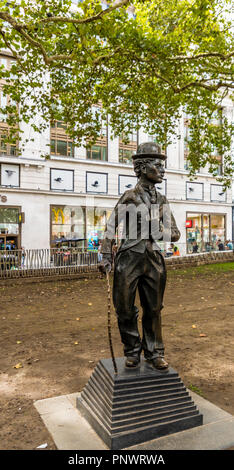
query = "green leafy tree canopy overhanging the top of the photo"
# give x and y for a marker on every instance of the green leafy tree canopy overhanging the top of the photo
(145, 61)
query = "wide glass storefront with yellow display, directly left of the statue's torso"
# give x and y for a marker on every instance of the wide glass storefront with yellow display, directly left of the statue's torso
(79, 223)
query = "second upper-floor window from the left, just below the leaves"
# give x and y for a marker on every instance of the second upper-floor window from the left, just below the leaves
(60, 144)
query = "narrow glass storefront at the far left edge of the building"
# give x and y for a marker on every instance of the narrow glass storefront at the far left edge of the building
(9, 228)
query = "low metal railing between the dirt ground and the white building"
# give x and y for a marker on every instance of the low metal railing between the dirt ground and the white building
(47, 262)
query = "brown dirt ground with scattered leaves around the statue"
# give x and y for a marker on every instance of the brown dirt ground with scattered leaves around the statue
(54, 333)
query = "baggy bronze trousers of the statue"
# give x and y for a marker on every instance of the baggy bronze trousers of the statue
(147, 272)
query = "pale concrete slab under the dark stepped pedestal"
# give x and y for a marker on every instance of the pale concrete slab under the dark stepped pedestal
(70, 431)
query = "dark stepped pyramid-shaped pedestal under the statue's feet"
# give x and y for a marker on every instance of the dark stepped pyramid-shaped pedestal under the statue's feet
(136, 405)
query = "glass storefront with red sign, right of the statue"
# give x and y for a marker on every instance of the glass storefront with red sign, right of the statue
(205, 232)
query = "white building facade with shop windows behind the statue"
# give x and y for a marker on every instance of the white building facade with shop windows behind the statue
(71, 197)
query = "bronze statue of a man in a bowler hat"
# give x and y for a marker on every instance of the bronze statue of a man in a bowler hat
(139, 263)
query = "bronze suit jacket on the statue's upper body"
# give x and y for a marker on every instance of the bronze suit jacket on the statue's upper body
(141, 220)
